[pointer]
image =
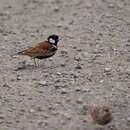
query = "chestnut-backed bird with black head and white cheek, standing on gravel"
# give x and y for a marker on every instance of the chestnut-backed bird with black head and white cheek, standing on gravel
(42, 50)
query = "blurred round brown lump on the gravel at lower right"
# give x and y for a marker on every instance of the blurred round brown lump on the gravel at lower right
(101, 114)
